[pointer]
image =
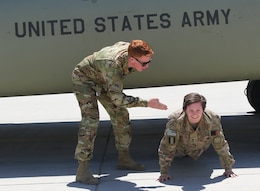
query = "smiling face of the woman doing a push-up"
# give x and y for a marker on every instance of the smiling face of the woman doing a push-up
(194, 112)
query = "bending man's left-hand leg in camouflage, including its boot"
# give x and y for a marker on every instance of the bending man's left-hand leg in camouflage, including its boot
(87, 131)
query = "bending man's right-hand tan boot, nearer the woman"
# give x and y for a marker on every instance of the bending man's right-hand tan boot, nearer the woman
(126, 163)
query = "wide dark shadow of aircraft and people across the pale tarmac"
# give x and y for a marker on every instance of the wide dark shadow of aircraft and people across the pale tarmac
(47, 149)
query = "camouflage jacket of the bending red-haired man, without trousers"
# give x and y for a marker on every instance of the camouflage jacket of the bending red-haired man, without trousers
(106, 70)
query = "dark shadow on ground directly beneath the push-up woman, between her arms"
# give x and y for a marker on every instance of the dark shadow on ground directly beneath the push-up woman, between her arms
(194, 175)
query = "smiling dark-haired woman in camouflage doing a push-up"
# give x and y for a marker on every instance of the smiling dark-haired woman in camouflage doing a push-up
(190, 132)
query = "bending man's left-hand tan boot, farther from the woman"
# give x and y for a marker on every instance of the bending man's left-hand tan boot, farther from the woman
(83, 174)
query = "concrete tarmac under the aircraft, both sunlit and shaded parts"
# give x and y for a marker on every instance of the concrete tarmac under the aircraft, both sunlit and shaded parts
(38, 135)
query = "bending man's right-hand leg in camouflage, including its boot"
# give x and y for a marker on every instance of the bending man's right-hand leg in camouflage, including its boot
(119, 117)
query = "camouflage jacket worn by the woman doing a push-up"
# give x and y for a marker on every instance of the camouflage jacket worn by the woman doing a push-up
(180, 136)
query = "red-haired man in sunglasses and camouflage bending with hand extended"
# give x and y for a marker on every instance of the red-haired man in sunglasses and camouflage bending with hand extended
(98, 77)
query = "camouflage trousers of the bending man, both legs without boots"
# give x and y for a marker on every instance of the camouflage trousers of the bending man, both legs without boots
(87, 98)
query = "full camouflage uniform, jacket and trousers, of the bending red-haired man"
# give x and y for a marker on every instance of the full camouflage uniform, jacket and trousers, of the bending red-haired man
(98, 77)
